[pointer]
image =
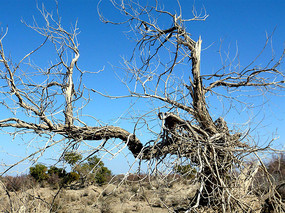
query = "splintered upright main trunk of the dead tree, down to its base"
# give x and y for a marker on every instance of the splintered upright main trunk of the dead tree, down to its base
(216, 165)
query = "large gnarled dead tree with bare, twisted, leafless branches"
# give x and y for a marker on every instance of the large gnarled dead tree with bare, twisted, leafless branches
(48, 103)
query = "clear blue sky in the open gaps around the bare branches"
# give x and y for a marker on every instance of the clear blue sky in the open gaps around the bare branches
(241, 22)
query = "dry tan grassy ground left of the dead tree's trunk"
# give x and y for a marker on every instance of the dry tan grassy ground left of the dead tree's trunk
(128, 197)
